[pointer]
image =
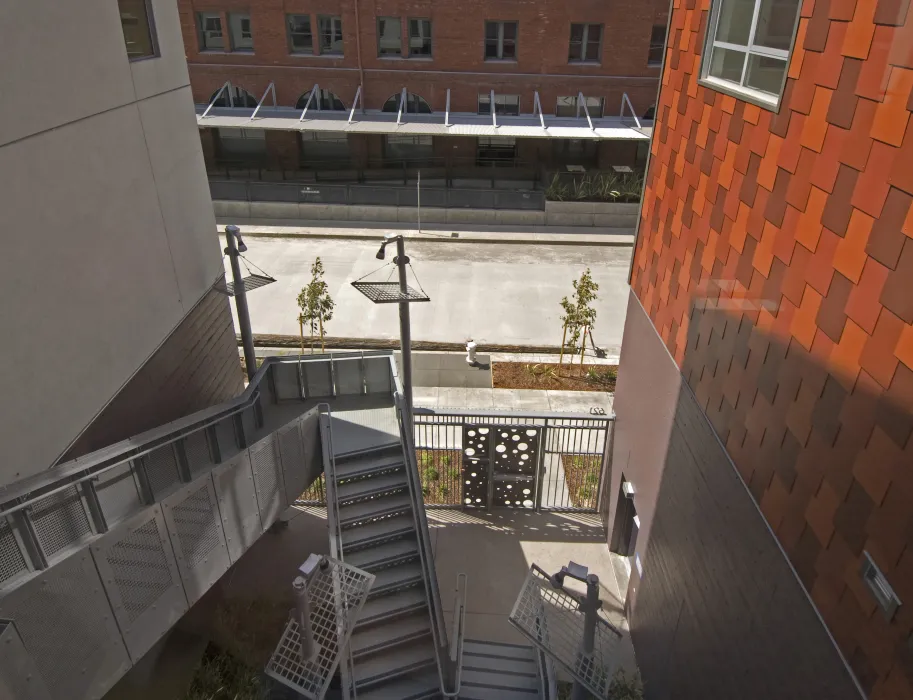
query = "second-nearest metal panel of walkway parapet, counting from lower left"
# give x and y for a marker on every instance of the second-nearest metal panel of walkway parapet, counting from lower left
(141, 579)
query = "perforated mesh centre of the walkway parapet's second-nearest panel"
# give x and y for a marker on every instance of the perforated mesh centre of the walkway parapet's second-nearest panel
(140, 569)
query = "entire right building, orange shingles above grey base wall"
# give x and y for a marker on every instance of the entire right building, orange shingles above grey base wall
(765, 393)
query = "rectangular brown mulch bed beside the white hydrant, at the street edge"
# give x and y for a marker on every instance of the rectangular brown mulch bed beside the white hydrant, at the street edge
(549, 375)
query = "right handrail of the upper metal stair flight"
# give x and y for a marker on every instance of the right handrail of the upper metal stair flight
(426, 556)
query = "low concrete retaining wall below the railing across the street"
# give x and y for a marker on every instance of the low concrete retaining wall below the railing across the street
(593, 214)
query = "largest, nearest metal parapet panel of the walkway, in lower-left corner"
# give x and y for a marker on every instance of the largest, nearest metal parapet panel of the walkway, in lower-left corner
(65, 623)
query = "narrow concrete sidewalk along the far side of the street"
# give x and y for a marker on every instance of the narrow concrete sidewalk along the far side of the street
(459, 233)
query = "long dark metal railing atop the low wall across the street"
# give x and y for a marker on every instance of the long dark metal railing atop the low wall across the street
(376, 195)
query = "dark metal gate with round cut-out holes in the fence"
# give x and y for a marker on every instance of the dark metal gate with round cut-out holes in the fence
(500, 465)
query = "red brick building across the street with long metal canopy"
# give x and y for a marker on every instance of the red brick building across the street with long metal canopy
(449, 57)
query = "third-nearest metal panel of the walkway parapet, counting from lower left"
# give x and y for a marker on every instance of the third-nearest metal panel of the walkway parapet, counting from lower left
(195, 526)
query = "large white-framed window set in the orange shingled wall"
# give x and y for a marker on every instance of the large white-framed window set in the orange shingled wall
(747, 49)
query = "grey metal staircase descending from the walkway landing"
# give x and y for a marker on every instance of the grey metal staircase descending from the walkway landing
(377, 523)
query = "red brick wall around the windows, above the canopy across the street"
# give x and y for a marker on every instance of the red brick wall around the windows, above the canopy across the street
(458, 52)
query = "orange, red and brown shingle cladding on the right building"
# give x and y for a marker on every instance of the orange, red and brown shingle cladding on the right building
(775, 259)
